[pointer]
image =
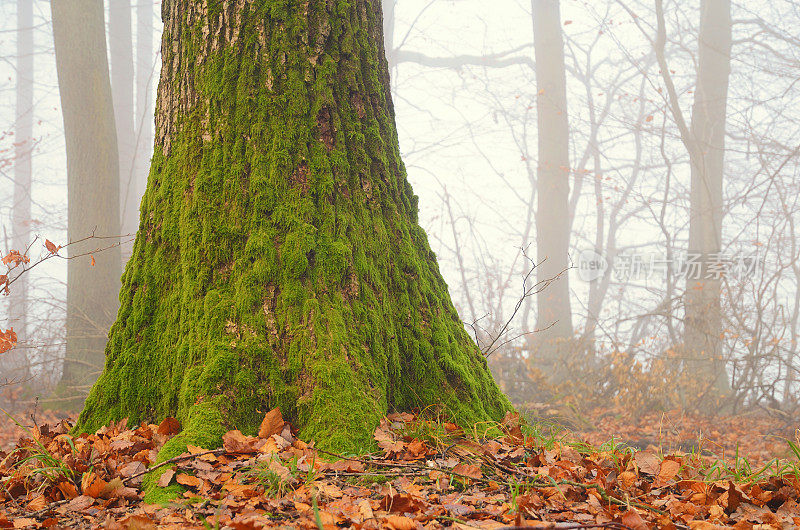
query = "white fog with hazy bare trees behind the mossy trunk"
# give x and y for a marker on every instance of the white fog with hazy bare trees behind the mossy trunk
(657, 269)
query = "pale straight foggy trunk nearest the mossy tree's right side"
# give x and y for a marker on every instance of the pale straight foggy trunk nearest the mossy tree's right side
(554, 320)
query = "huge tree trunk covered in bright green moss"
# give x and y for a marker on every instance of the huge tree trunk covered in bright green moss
(279, 261)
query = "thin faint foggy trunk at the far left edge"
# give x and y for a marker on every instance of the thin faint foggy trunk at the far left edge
(15, 362)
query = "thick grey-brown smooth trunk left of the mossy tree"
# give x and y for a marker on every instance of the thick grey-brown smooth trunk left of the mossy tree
(93, 187)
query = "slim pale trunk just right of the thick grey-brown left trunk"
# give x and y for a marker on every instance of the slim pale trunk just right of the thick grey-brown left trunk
(122, 83)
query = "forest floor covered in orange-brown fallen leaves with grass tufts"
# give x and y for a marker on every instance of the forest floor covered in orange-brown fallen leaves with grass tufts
(663, 470)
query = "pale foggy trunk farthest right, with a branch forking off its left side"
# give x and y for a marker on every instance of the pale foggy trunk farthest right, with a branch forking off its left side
(703, 323)
